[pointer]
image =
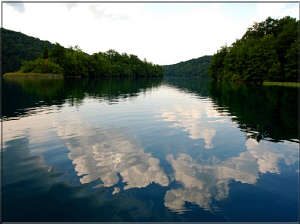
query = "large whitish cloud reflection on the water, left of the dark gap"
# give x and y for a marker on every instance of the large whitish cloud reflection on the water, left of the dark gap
(105, 154)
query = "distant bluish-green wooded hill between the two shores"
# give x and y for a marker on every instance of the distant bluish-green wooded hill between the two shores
(193, 67)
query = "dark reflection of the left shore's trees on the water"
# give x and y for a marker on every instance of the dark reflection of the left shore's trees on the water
(22, 95)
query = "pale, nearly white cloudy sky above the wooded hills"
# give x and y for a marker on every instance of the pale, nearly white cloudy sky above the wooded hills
(164, 33)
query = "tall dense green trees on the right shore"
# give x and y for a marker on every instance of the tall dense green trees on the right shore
(267, 51)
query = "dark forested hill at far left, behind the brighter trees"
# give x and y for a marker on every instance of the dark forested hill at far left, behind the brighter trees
(17, 46)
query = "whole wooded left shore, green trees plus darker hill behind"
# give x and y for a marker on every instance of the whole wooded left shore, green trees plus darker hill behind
(30, 55)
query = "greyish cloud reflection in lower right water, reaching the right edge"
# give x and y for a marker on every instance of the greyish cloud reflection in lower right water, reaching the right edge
(201, 184)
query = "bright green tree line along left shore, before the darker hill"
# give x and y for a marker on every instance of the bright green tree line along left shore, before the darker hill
(74, 62)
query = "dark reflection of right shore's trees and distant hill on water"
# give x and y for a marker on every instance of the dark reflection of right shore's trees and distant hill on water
(265, 112)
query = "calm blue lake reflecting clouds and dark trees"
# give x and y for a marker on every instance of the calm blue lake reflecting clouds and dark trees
(149, 149)
